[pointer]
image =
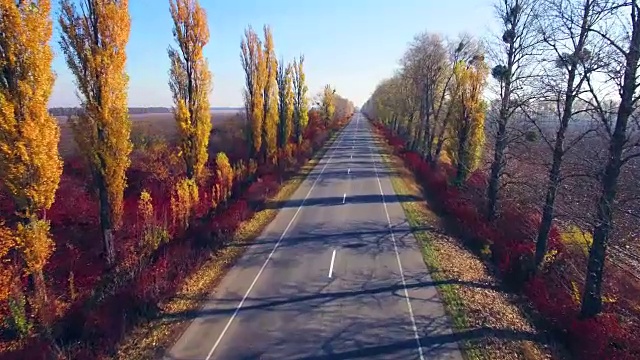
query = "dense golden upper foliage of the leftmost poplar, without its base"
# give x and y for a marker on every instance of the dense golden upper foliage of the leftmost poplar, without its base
(28, 167)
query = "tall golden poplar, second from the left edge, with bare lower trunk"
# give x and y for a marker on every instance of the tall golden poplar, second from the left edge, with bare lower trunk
(94, 40)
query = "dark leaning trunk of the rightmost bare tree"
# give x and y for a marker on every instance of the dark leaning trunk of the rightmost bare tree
(592, 297)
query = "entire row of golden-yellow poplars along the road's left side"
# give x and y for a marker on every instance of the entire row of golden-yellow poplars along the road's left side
(94, 36)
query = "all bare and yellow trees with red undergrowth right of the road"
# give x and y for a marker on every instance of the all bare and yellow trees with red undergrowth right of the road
(541, 178)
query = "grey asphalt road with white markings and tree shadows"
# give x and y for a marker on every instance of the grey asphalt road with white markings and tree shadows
(336, 275)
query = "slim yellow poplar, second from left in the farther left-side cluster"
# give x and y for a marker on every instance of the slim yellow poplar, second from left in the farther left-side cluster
(270, 123)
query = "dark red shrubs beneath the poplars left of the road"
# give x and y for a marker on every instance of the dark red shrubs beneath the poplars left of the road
(99, 324)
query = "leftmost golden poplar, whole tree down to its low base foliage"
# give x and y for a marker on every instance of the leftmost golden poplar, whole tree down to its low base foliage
(30, 166)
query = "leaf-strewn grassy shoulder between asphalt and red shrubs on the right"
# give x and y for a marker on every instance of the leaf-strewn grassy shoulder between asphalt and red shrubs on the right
(487, 320)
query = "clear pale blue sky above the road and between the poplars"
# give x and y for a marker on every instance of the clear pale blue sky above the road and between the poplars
(351, 44)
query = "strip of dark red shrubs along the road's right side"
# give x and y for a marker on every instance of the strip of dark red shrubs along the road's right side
(511, 239)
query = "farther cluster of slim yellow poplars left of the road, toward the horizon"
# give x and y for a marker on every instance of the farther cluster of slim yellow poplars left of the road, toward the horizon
(275, 95)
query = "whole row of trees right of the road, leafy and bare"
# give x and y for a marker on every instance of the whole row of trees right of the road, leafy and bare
(577, 57)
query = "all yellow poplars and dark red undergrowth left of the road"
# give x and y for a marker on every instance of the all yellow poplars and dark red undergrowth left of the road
(100, 243)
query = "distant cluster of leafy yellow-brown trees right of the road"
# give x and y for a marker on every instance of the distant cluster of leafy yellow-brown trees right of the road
(436, 102)
